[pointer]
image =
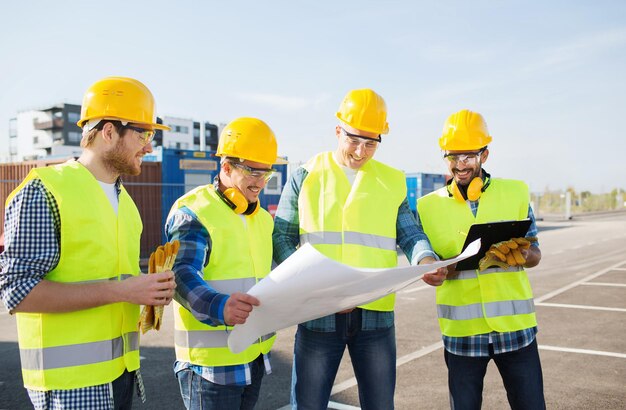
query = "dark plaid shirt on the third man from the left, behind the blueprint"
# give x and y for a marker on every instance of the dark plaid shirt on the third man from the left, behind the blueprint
(286, 238)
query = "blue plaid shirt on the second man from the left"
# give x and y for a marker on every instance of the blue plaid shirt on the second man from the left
(192, 292)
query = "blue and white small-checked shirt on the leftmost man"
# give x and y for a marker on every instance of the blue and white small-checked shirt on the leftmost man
(32, 230)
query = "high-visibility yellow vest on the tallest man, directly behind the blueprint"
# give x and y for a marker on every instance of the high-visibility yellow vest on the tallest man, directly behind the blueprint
(352, 224)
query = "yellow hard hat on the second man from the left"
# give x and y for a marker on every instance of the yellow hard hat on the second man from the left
(251, 139)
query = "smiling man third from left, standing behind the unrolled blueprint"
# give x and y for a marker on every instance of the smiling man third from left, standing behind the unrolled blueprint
(353, 209)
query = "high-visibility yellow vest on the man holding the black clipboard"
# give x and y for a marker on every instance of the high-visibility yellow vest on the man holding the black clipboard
(477, 302)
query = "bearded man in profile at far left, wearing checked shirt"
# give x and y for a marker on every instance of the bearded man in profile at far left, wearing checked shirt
(70, 270)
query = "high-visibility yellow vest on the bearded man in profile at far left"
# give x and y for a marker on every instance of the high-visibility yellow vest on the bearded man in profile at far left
(61, 351)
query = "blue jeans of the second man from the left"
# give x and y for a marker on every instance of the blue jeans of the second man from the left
(199, 393)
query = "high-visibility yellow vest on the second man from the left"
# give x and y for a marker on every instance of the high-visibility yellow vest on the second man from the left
(241, 255)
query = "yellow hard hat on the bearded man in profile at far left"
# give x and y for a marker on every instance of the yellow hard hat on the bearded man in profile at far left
(119, 98)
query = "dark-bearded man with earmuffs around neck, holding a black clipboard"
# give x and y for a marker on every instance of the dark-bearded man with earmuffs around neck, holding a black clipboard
(487, 313)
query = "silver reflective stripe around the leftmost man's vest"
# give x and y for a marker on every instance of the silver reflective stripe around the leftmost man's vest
(77, 355)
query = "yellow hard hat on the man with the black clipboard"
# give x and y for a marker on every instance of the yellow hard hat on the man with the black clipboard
(464, 131)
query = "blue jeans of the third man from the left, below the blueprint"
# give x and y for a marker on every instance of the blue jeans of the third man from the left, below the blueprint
(317, 356)
